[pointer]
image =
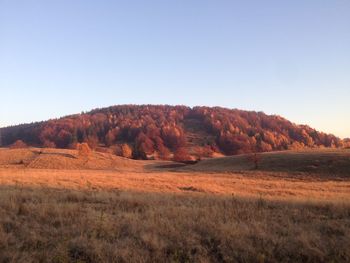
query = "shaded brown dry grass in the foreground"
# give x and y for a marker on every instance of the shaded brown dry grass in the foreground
(47, 225)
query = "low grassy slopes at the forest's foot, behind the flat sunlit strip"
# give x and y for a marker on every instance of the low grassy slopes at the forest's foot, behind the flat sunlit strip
(330, 162)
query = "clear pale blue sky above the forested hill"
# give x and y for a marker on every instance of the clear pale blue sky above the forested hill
(290, 58)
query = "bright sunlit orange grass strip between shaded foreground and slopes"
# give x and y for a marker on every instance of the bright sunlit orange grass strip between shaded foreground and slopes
(273, 186)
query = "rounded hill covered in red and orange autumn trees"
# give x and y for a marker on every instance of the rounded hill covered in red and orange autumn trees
(159, 131)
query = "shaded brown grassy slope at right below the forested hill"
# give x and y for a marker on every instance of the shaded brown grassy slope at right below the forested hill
(321, 162)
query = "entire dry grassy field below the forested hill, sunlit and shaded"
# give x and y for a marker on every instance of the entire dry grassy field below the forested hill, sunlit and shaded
(56, 206)
